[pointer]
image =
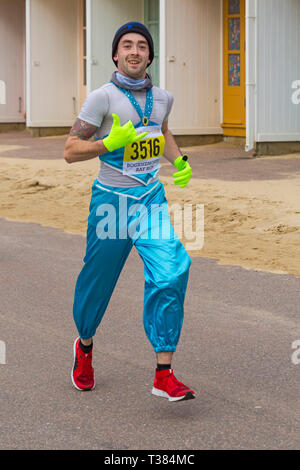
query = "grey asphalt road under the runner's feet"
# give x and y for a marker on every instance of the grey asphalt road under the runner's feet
(235, 351)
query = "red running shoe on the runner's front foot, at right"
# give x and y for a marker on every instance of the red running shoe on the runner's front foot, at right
(166, 385)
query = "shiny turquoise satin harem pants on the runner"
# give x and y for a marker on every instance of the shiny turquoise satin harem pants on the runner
(120, 218)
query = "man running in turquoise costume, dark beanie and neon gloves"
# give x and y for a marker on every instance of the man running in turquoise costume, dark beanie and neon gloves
(129, 119)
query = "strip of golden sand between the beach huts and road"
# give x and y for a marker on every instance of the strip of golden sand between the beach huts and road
(253, 224)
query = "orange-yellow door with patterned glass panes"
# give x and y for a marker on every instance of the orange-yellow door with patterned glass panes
(234, 103)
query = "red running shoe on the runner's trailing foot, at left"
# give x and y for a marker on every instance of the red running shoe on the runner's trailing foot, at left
(82, 374)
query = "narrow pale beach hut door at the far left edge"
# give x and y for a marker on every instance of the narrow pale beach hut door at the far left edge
(12, 61)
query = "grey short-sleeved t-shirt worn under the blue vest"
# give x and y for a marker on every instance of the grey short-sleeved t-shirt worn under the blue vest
(97, 110)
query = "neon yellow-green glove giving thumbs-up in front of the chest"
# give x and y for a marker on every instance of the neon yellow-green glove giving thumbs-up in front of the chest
(120, 136)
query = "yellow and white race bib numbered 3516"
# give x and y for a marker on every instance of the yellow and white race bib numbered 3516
(144, 155)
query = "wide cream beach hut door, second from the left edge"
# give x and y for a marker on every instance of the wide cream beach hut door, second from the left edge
(53, 75)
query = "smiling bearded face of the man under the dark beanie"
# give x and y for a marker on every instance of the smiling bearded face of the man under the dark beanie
(133, 55)
